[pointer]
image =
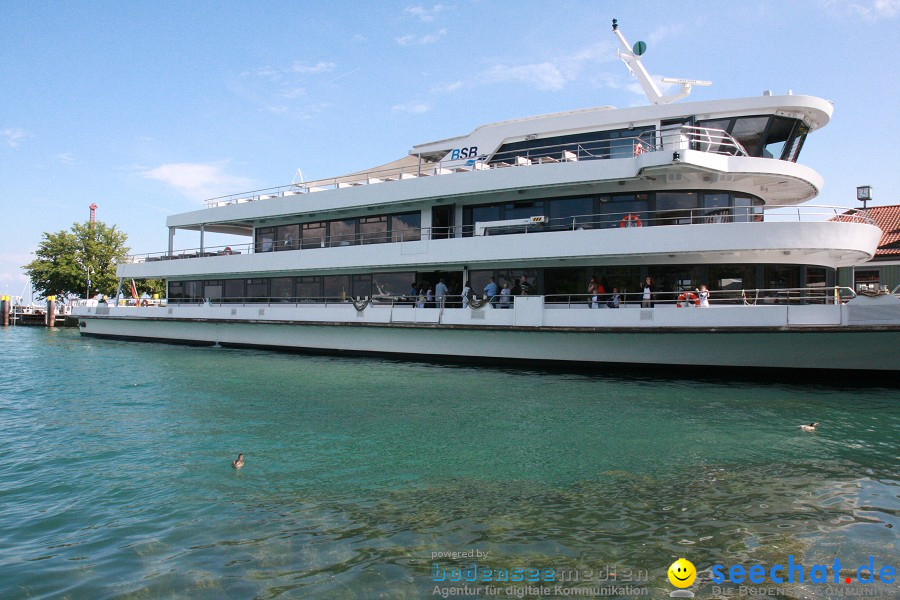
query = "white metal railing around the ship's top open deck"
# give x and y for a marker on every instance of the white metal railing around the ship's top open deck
(715, 141)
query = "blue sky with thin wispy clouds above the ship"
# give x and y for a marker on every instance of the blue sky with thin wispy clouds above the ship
(147, 108)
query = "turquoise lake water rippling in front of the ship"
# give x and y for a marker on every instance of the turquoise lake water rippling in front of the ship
(115, 478)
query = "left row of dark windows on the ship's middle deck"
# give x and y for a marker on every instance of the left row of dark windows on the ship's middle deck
(378, 229)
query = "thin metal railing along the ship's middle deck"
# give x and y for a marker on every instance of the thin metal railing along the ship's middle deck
(695, 216)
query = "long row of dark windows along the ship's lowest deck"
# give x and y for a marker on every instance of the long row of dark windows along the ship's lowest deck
(724, 279)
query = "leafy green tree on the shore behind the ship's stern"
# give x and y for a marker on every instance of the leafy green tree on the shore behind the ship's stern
(64, 260)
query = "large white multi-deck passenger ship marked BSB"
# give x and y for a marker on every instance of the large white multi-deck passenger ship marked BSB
(703, 193)
